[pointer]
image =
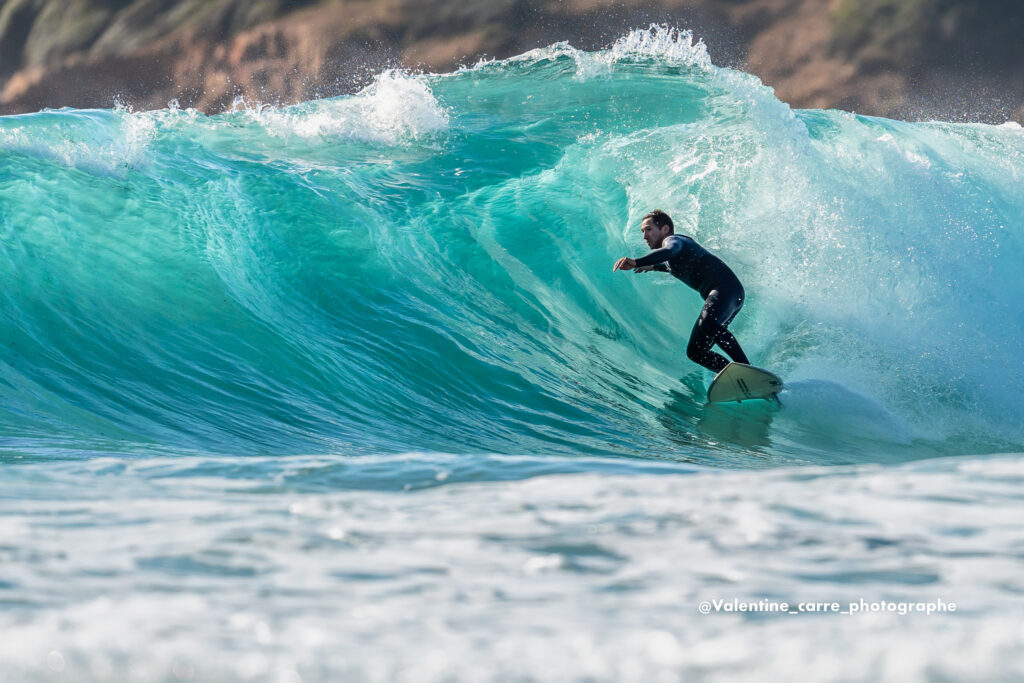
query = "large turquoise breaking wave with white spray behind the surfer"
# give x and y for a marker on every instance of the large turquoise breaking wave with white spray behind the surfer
(426, 266)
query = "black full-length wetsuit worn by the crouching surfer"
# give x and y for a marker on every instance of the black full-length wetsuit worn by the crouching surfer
(723, 295)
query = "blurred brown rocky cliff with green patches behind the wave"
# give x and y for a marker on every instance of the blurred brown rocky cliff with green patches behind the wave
(954, 60)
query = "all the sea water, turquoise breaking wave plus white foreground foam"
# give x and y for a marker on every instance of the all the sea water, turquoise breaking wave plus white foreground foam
(348, 391)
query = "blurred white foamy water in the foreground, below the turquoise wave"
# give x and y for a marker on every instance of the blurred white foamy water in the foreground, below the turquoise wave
(160, 573)
